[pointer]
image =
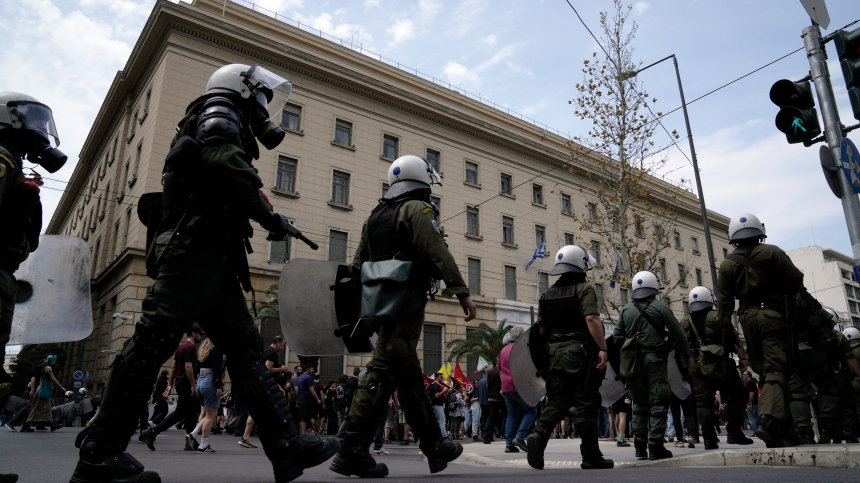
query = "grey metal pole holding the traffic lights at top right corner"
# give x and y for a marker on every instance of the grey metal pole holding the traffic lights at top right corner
(832, 130)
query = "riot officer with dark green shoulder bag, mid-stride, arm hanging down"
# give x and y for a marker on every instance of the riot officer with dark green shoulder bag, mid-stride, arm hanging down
(403, 227)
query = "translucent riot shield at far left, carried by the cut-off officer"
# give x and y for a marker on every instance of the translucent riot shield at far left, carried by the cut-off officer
(53, 302)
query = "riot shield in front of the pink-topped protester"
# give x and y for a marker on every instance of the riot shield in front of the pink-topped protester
(524, 372)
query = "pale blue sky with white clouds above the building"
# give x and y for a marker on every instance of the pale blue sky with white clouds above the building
(523, 55)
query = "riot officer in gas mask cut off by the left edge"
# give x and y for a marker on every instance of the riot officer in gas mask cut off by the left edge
(26, 129)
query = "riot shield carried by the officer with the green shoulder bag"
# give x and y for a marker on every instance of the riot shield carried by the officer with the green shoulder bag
(309, 312)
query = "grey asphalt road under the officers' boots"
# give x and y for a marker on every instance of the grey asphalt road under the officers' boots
(51, 457)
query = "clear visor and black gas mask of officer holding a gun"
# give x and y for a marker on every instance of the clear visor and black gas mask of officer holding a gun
(263, 86)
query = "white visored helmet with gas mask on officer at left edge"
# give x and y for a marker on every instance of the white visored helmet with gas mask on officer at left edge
(20, 112)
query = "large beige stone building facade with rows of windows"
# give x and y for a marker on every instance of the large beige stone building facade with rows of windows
(348, 117)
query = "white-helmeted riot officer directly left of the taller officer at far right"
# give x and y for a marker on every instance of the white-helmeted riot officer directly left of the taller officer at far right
(712, 369)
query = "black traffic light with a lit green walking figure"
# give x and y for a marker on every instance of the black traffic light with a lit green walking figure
(797, 117)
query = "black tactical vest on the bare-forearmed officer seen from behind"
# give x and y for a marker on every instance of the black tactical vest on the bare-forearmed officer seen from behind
(562, 314)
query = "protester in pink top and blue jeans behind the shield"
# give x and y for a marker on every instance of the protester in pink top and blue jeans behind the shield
(516, 407)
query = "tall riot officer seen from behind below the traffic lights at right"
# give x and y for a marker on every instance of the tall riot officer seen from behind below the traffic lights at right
(760, 276)
